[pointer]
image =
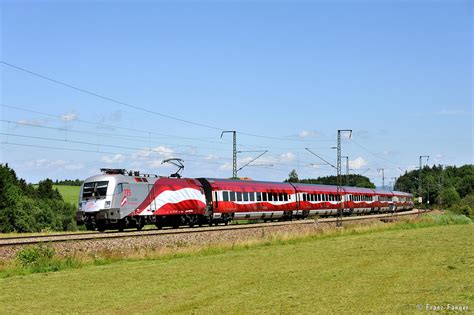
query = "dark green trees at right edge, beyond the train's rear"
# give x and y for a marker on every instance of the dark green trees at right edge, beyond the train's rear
(449, 187)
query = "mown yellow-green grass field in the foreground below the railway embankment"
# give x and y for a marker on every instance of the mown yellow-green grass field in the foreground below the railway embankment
(391, 271)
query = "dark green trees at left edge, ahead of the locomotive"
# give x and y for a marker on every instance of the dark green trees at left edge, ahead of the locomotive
(26, 208)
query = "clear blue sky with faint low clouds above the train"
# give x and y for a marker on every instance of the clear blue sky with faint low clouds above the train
(86, 85)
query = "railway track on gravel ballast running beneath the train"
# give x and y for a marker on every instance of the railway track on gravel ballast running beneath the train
(54, 238)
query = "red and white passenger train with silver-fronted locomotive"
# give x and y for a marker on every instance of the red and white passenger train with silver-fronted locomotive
(118, 199)
